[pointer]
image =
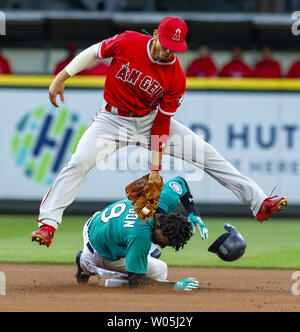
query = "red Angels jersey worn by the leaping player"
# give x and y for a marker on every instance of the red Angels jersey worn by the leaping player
(136, 82)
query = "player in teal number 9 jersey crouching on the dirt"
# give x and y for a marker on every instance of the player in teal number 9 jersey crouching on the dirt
(115, 242)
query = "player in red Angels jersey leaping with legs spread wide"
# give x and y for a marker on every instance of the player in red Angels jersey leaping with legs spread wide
(144, 87)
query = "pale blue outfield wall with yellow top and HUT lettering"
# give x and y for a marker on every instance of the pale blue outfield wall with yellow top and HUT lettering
(254, 123)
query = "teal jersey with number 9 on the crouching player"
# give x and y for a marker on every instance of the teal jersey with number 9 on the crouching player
(116, 232)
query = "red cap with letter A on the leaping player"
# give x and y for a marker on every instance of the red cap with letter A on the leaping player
(171, 34)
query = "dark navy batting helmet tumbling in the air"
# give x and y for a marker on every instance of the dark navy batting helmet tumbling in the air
(229, 246)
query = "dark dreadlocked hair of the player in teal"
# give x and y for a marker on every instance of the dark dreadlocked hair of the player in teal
(176, 228)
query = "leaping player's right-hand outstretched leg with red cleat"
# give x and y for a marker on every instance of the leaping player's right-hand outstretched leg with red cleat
(205, 156)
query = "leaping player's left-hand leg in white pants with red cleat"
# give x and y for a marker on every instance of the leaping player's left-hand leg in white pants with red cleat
(91, 148)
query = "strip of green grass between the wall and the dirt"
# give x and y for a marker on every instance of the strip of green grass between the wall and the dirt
(274, 244)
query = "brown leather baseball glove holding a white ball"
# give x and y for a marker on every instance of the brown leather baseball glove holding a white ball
(144, 196)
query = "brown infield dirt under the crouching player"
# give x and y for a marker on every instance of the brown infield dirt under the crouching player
(54, 288)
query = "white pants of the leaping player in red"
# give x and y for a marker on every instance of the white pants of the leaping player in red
(110, 132)
